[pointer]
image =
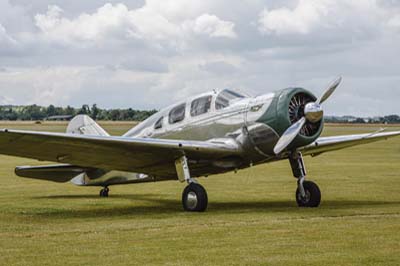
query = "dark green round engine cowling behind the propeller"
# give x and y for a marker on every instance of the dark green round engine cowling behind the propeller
(287, 108)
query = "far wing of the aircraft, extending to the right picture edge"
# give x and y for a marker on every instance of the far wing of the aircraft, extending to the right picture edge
(325, 144)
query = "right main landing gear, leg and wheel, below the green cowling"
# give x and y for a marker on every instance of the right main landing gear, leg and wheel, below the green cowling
(308, 193)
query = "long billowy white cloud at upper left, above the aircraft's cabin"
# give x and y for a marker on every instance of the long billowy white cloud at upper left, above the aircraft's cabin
(117, 22)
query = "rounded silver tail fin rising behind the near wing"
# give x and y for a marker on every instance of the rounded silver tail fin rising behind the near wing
(84, 125)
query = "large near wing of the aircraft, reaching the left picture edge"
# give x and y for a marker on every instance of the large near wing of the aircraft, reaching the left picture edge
(142, 155)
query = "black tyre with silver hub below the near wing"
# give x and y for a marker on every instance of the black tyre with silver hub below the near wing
(194, 198)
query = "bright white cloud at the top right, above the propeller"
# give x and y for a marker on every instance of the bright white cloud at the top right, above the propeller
(323, 15)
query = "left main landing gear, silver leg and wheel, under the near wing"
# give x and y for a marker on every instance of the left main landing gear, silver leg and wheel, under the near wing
(194, 196)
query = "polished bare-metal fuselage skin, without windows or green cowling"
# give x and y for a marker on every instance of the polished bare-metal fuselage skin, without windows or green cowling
(235, 123)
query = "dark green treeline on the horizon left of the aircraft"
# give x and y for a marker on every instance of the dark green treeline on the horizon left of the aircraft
(35, 112)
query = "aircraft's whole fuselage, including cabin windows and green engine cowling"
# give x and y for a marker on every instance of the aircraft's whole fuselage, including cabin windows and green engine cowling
(254, 123)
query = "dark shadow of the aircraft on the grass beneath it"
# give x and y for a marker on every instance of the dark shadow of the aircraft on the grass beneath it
(160, 207)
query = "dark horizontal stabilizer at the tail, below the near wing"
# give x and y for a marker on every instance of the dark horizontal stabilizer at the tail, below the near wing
(57, 173)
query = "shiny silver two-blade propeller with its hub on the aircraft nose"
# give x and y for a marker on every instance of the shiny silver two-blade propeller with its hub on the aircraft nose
(313, 112)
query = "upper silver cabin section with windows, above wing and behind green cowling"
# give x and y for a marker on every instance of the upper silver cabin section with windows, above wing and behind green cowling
(211, 120)
